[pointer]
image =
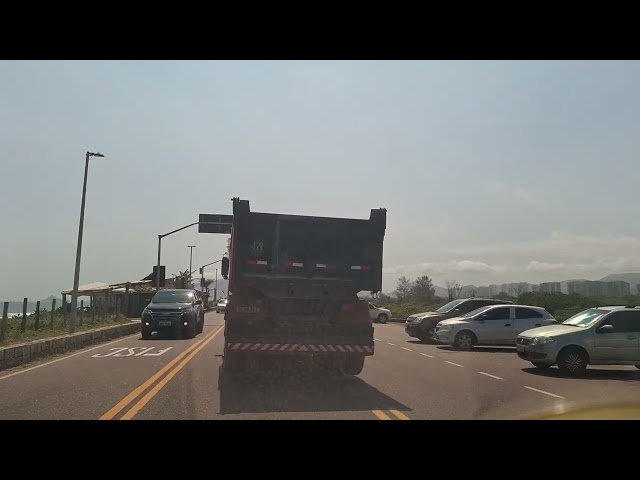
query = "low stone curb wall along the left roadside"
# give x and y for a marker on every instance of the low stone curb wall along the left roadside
(22, 353)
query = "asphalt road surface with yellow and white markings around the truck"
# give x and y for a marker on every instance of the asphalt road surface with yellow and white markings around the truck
(165, 378)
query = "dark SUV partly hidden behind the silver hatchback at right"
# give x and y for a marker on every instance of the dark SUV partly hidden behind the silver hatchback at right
(422, 325)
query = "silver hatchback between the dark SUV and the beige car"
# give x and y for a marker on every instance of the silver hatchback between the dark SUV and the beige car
(492, 325)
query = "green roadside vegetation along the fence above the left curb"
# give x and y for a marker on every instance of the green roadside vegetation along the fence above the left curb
(14, 335)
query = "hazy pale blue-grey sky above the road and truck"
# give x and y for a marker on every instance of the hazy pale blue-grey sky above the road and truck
(491, 171)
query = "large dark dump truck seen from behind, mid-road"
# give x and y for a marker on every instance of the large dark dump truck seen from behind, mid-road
(293, 288)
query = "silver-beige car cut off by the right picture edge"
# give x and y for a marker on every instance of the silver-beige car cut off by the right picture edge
(596, 336)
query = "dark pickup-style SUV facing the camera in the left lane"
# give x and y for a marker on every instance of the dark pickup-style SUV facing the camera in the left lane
(175, 310)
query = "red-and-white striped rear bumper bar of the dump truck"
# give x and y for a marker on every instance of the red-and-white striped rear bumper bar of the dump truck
(302, 348)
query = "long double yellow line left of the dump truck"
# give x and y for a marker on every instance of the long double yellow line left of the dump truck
(173, 367)
